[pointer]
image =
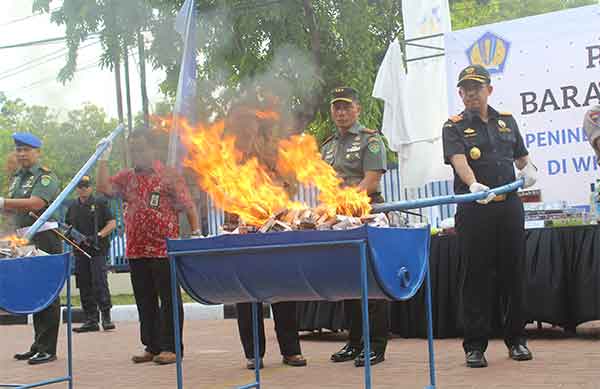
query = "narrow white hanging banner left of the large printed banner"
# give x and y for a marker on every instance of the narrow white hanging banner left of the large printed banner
(416, 103)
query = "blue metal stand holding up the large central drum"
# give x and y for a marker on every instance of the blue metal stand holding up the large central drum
(359, 244)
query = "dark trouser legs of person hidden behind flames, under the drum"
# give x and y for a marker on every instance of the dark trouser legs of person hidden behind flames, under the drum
(286, 328)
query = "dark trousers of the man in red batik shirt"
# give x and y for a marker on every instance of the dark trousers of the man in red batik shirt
(151, 281)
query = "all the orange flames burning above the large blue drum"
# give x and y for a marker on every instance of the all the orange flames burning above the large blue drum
(241, 185)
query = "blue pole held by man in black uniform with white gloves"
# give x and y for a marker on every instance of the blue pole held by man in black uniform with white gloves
(450, 199)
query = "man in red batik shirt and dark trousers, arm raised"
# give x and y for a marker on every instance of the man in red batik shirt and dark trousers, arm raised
(153, 195)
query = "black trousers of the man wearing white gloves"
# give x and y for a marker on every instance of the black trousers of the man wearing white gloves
(492, 247)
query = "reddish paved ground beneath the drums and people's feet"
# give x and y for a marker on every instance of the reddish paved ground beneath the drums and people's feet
(214, 360)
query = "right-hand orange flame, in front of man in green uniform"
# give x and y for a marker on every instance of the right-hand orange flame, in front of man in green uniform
(299, 155)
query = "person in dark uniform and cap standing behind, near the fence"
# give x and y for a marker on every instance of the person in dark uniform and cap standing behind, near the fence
(92, 217)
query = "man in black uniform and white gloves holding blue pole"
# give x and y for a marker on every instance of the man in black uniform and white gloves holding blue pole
(483, 146)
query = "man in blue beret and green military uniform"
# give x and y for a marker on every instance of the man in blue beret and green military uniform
(33, 188)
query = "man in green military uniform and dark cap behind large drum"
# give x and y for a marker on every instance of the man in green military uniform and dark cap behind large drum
(357, 154)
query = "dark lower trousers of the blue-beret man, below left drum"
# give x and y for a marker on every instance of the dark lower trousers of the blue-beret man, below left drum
(46, 324)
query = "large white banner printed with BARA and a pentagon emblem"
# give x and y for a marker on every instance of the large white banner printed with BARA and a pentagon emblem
(545, 71)
